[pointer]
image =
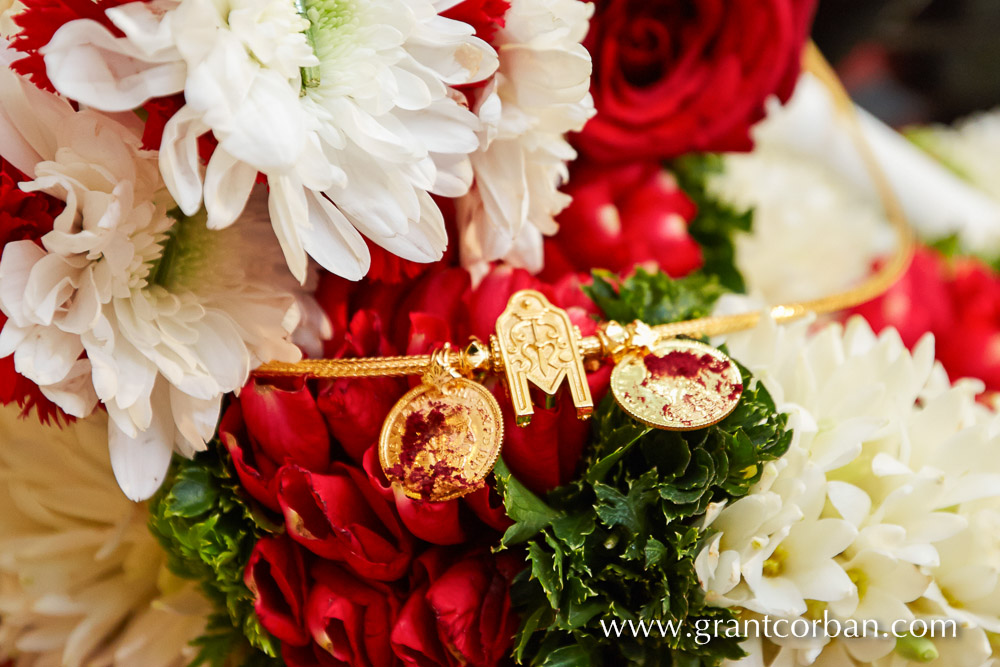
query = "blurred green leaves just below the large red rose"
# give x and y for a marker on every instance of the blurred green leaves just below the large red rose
(717, 223)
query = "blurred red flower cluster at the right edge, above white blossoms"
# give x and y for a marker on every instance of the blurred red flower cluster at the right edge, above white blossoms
(957, 300)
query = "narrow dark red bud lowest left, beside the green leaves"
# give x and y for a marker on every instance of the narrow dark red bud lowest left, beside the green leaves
(275, 575)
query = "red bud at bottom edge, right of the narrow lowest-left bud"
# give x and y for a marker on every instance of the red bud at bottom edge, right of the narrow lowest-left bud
(349, 619)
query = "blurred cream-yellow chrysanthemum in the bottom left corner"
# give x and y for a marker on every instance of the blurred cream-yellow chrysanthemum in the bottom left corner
(80, 574)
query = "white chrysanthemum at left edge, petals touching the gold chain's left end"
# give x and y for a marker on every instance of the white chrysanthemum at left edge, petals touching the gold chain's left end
(155, 316)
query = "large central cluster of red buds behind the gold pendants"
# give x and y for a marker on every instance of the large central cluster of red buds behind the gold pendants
(365, 575)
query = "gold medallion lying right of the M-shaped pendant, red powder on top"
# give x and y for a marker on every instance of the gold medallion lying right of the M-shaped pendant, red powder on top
(680, 385)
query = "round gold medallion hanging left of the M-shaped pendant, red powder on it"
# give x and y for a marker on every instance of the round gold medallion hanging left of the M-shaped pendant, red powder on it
(441, 439)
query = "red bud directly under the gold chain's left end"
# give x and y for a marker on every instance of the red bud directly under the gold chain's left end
(268, 427)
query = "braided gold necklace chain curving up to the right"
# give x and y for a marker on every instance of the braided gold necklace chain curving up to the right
(593, 347)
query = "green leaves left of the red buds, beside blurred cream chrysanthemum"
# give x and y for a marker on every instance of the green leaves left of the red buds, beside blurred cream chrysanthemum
(208, 530)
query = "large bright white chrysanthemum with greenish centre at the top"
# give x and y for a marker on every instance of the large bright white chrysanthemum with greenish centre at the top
(346, 107)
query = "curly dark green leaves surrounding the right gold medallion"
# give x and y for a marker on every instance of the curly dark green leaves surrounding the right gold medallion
(619, 543)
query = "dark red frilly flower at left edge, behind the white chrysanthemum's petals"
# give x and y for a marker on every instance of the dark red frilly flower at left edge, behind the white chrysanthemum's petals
(24, 216)
